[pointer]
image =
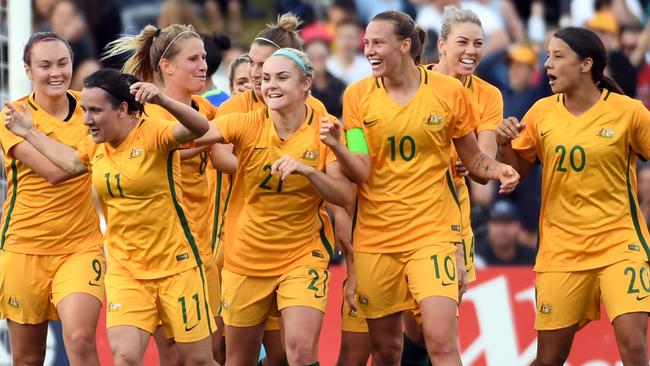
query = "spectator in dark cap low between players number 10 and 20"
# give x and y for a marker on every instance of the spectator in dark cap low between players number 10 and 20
(502, 246)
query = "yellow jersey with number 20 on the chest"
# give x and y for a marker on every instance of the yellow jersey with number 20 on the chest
(589, 215)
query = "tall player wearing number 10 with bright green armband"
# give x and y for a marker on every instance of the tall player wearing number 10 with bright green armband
(401, 123)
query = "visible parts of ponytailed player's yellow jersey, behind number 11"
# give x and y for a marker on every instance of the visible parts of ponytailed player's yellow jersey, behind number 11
(195, 182)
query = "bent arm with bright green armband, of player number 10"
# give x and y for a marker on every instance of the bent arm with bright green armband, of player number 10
(354, 162)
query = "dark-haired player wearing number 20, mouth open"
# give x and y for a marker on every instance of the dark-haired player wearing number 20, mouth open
(593, 241)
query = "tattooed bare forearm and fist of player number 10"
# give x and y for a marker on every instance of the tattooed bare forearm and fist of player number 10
(481, 165)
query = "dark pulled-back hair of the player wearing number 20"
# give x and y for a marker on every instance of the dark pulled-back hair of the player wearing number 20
(588, 45)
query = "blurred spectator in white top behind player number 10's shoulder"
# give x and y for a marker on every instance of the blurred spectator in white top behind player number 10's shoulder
(347, 63)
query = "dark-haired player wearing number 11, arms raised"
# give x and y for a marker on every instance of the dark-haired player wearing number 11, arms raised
(155, 272)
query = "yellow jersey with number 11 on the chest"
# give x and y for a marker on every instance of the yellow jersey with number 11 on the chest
(148, 232)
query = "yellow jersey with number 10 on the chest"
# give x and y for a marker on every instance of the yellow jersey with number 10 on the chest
(409, 199)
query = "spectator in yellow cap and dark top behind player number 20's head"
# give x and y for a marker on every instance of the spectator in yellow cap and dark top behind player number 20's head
(619, 68)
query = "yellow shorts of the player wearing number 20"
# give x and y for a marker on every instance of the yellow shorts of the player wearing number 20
(568, 298)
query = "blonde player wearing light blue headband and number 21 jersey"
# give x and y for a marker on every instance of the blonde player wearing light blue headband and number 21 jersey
(278, 237)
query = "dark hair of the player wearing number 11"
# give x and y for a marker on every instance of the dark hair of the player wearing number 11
(117, 87)
